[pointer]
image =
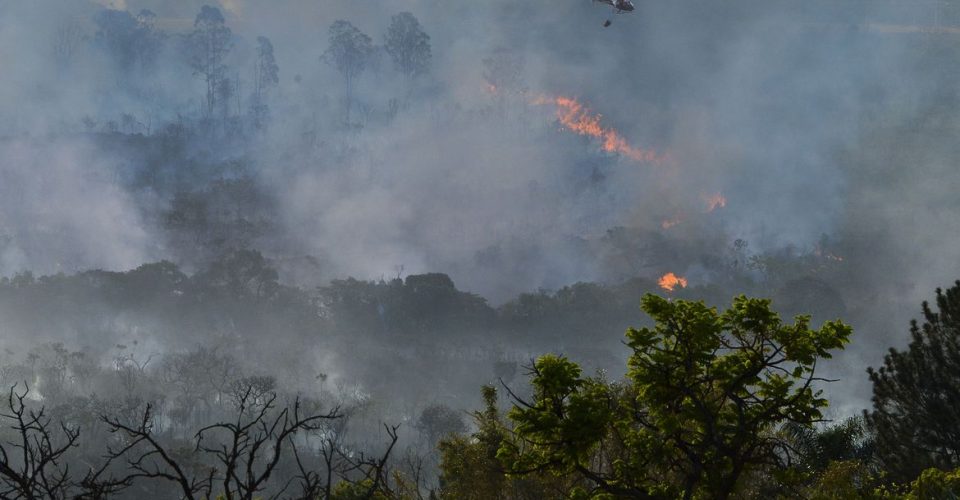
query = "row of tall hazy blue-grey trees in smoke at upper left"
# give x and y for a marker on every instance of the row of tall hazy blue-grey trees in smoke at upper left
(237, 78)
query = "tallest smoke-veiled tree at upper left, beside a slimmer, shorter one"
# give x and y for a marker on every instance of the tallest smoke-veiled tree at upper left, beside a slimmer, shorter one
(207, 47)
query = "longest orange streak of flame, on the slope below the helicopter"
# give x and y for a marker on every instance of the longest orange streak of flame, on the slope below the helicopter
(577, 118)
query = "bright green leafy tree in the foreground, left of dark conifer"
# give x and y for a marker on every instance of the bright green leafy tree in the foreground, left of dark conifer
(700, 411)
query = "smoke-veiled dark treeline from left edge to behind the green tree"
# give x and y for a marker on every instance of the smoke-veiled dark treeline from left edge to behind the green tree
(238, 303)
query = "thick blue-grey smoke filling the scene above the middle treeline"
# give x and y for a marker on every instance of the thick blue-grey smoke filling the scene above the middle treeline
(816, 121)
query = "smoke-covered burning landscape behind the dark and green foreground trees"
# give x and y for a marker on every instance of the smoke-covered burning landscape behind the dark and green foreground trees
(370, 209)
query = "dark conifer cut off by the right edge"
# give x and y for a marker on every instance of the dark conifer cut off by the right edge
(916, 394)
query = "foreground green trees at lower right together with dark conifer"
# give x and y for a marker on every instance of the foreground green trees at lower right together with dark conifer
(723, 404)
